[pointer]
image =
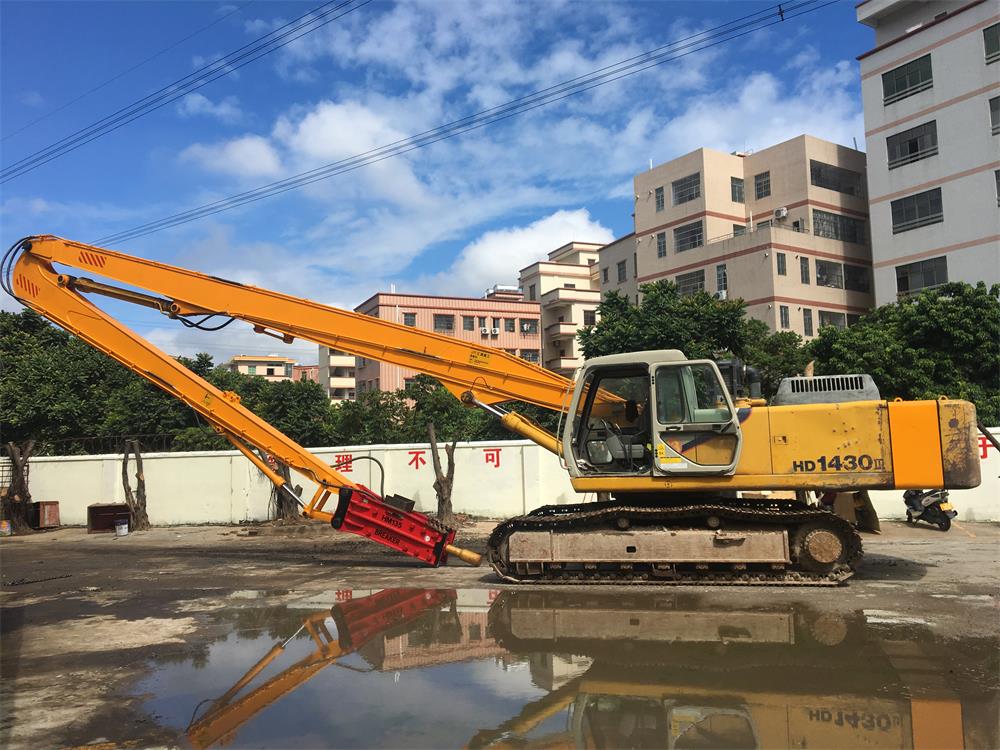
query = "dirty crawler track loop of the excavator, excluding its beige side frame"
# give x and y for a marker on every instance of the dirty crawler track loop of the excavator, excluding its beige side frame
(807, 528)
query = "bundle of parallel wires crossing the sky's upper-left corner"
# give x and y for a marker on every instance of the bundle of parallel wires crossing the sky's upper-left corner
(265, 45)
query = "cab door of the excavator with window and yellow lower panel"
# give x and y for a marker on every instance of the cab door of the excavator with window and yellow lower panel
(695, 427)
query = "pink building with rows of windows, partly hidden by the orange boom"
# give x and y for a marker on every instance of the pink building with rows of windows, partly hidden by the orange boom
(501, 319)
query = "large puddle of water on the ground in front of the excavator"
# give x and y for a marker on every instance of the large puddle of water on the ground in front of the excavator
(432, 668)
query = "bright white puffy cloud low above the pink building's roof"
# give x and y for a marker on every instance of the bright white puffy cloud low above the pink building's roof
(498, 255)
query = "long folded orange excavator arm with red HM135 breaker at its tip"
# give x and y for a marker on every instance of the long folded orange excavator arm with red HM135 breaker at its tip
(476, 374)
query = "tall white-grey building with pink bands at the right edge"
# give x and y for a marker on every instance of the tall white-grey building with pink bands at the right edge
(931, 94)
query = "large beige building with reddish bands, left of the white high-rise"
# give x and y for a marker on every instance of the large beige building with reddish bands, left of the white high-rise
(784, 228)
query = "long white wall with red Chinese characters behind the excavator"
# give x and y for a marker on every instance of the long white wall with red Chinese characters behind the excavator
(223, 487)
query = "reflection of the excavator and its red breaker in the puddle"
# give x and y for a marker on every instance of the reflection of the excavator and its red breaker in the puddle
(654, 671)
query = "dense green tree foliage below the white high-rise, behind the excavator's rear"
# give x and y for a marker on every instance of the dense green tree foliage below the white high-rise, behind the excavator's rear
(944, 341)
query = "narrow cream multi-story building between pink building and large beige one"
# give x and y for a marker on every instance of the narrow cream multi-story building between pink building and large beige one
(568, 289)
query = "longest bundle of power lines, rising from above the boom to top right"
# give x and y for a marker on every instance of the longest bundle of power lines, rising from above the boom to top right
(602, 76)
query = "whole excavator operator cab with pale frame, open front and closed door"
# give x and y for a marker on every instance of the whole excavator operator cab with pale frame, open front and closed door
(652, 413)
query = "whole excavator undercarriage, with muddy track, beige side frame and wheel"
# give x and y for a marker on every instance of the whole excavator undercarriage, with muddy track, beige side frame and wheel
(670, 543)
